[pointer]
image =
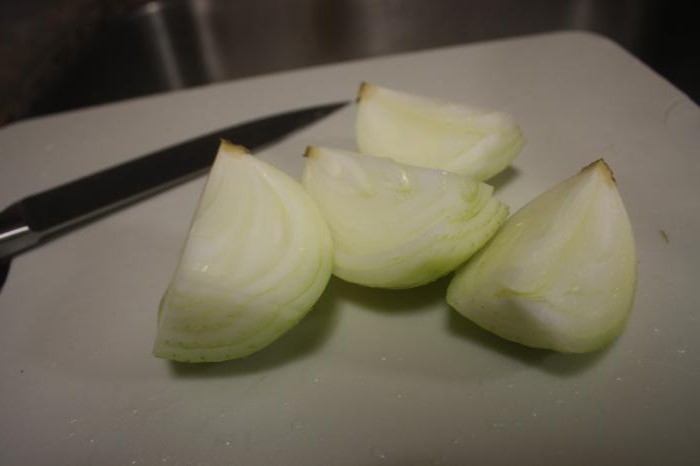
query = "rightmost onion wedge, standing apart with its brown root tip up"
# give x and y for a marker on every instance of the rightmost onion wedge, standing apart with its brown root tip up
(561, 272)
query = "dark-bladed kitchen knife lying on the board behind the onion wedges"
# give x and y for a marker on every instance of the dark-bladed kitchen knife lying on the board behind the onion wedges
(42, 216)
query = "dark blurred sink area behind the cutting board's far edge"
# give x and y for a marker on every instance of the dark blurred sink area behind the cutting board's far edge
(66, 54)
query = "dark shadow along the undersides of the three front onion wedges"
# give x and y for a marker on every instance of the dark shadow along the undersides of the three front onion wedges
(313, 331)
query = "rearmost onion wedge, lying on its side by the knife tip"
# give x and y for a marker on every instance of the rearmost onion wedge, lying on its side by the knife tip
(433, 133)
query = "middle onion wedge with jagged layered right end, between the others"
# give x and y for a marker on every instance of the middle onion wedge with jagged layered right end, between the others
(395, 225)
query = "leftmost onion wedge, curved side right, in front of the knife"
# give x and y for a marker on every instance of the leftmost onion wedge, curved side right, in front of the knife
(257, 258)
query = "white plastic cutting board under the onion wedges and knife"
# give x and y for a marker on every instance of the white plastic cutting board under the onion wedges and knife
(369, 377)
